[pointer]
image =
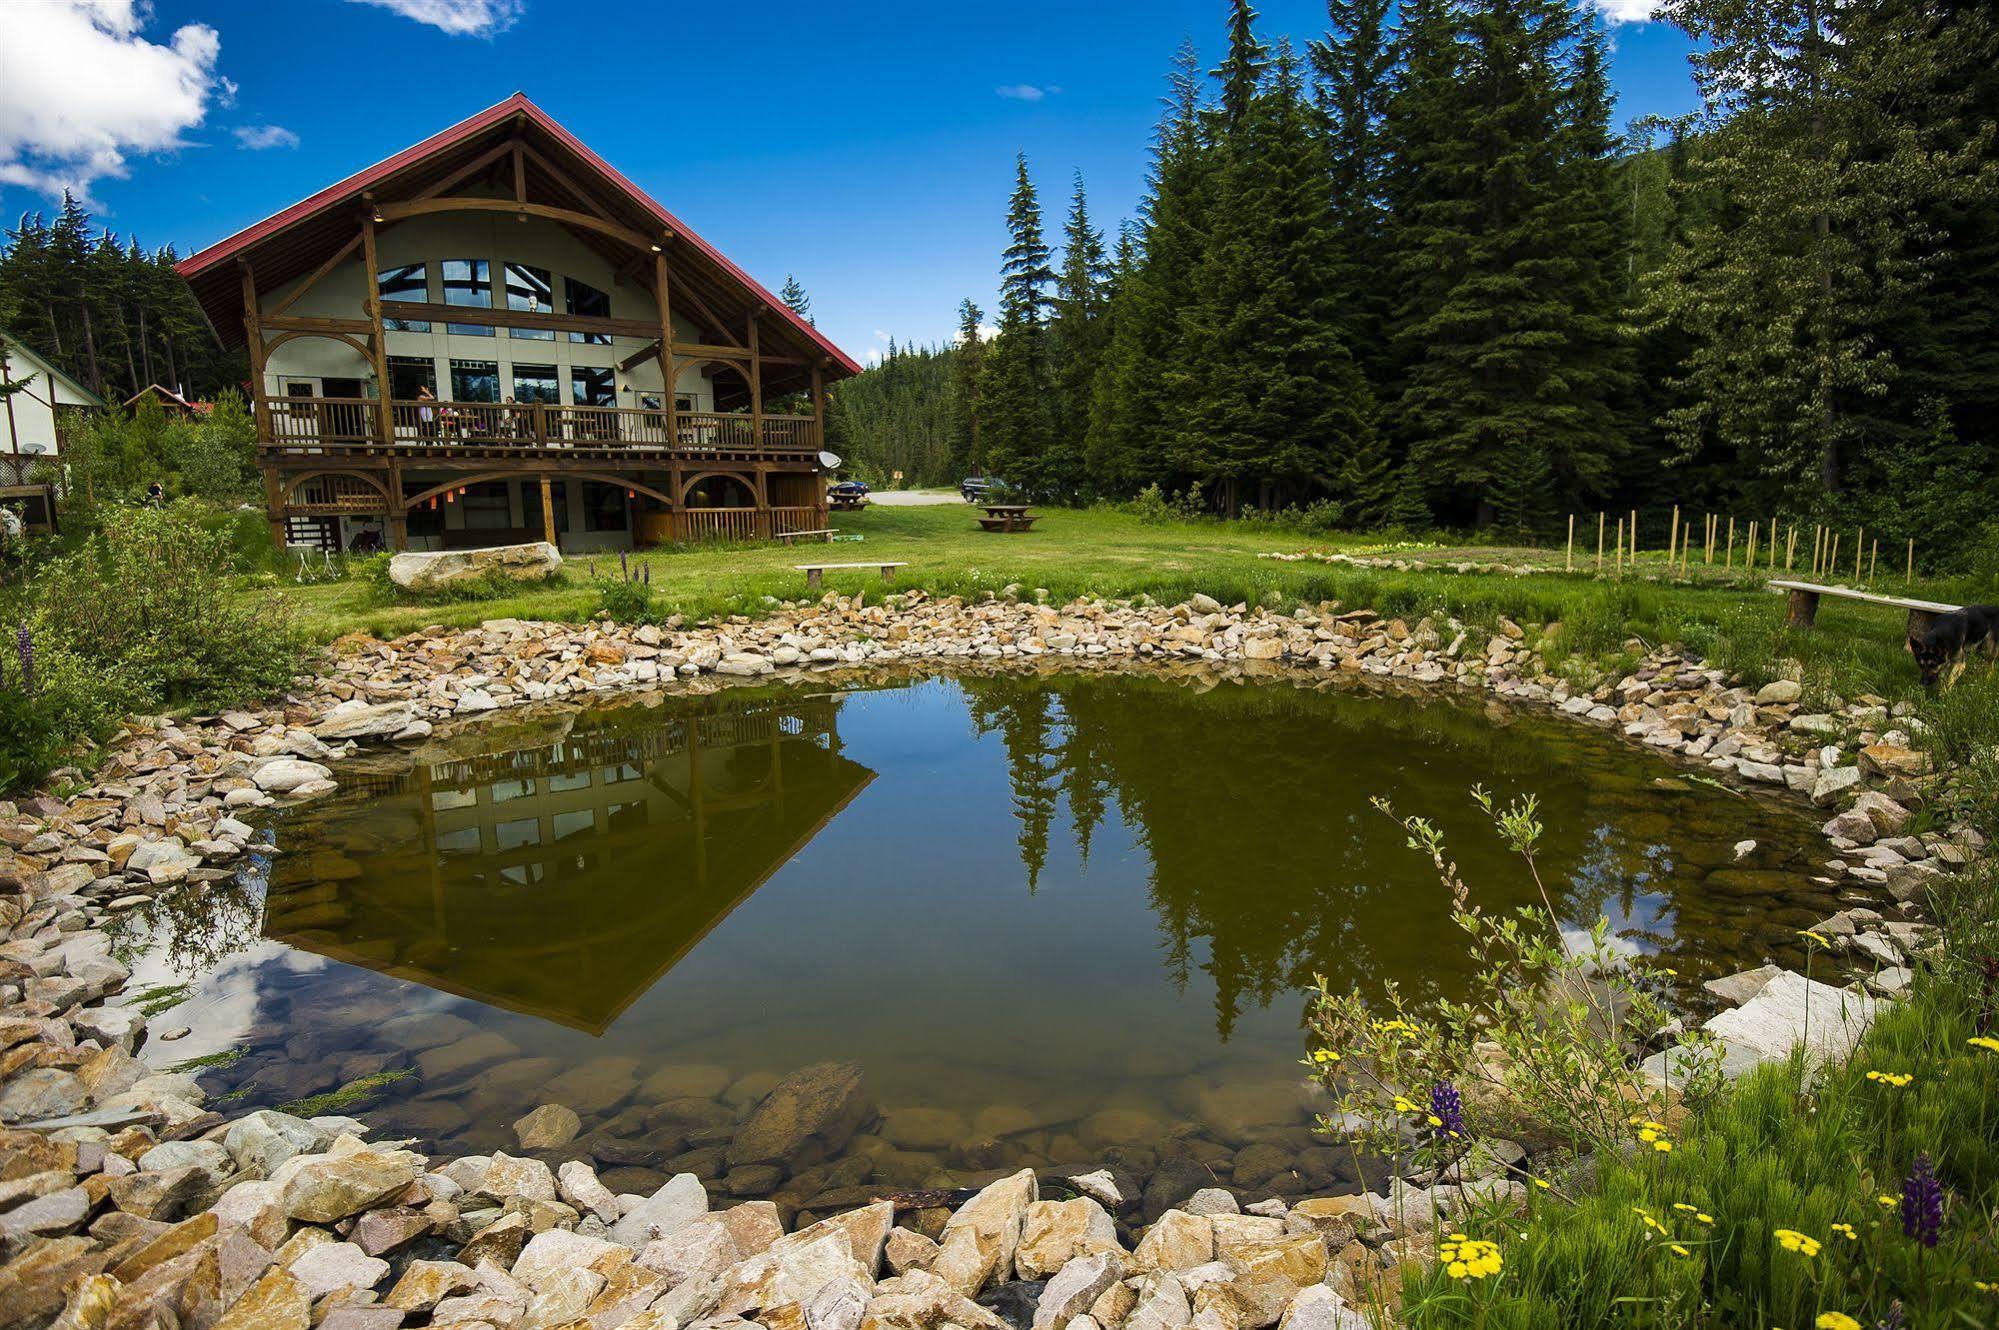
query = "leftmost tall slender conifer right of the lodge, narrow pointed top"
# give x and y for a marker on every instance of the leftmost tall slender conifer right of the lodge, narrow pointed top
(1014, 389)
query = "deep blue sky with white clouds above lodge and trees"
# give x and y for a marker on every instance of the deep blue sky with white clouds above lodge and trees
(867, 149)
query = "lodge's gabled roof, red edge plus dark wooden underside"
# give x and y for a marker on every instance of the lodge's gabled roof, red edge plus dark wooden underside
(291, 243)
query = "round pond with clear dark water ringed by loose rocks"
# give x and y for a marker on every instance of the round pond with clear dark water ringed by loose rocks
(1034, 921)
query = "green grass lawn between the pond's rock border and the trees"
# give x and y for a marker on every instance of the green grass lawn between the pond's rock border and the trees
(1726, 617)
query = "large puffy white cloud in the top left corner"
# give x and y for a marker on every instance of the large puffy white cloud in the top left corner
(83, 89)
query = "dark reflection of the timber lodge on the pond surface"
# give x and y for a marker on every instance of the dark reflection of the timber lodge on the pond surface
(563, 871)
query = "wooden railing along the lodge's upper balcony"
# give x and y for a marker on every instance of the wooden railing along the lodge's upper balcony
(357, 423)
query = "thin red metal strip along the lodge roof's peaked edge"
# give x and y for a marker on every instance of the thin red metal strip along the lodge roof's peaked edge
(517, 105)
